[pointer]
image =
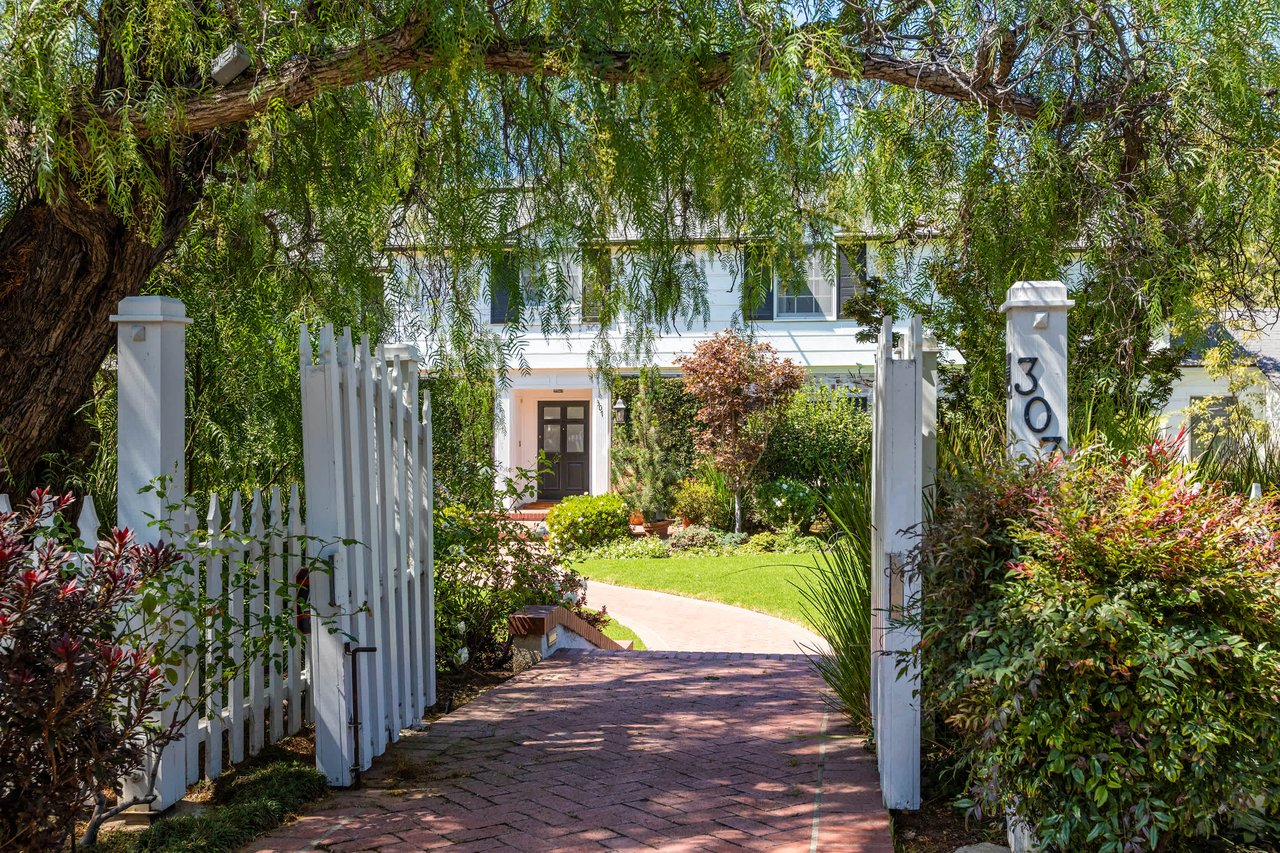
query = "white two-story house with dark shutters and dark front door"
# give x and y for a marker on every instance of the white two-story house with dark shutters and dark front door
(560, 408)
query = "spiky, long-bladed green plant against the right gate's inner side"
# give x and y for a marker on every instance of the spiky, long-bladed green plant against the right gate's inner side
(836, 599)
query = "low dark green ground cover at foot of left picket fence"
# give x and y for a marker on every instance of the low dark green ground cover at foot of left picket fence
(248, 802)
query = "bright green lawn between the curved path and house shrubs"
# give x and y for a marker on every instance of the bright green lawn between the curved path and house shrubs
(756, 582)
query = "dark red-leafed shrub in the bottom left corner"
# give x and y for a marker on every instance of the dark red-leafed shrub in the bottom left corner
(75, 701)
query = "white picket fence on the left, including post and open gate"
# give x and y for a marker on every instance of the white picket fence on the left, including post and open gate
(369, 664)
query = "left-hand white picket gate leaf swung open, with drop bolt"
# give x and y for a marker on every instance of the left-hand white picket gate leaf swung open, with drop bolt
(368, 466)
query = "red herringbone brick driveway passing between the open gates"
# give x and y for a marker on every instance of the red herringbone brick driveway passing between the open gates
(620, 751)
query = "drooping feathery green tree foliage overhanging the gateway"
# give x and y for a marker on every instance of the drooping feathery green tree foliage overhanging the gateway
(377, 154)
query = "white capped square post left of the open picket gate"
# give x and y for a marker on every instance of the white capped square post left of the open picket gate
(152, 437)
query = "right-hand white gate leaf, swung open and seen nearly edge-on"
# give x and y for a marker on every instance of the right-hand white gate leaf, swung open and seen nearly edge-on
(904, 458)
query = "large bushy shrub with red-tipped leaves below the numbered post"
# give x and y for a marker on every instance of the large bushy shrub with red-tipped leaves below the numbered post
(1101, 637)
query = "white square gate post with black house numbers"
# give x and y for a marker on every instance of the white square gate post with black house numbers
(1036, 367)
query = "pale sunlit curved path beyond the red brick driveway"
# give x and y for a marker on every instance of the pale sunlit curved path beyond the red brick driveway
(679, 624)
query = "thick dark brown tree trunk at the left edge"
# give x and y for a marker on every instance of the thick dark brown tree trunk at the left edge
(63, 270)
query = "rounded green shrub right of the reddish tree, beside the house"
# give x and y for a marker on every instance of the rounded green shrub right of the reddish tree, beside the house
(822, 434)
